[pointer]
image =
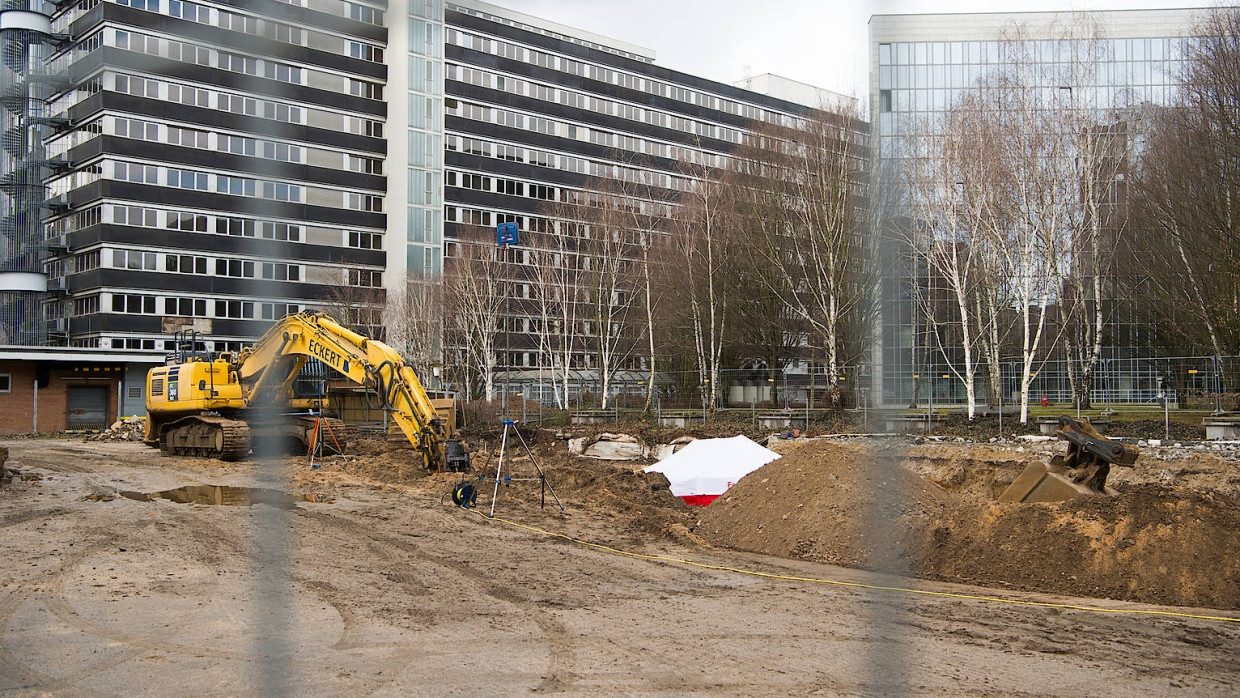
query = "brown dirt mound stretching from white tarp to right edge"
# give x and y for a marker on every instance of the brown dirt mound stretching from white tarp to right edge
(857, 506)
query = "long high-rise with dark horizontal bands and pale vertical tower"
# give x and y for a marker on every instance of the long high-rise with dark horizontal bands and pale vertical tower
(216, 166)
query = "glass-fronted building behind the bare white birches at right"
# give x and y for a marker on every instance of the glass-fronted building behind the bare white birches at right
(922, 64)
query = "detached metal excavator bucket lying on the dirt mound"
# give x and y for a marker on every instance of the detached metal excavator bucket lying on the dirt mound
(1081, 473)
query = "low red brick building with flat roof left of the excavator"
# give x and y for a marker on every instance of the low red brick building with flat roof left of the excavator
(49, 390)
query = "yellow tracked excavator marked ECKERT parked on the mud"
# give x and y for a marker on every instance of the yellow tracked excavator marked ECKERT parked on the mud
(216, 406)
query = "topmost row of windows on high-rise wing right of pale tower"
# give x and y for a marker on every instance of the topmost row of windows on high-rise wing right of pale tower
(613, 76)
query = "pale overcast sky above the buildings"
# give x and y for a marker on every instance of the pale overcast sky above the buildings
(821, 43)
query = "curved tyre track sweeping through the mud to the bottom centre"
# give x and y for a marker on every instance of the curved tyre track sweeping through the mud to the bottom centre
(561, 654)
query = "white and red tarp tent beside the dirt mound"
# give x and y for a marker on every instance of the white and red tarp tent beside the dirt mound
(706, 468)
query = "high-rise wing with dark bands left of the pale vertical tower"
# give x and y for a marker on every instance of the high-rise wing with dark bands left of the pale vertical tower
(209, 166)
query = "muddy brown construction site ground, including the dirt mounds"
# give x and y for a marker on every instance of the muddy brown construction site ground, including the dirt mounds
(380, 586)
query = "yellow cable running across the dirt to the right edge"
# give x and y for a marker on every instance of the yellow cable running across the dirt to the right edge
(859, 585)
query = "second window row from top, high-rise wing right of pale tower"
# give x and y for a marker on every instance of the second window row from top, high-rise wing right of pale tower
(593, 104)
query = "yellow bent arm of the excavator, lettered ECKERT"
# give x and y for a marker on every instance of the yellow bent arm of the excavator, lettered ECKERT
(266, 370)
